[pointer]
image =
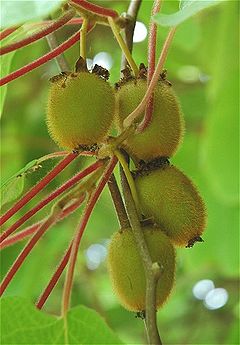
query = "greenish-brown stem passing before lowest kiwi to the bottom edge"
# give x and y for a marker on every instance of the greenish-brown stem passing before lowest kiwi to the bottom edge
(150, 269)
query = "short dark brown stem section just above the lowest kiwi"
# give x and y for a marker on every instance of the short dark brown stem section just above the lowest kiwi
(118, 203)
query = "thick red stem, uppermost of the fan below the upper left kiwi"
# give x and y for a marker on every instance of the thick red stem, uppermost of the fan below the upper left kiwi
(38, 187)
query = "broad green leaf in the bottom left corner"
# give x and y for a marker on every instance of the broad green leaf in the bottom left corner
(22, 323)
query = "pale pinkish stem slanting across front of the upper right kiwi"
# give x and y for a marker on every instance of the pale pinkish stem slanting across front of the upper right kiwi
(141, 107)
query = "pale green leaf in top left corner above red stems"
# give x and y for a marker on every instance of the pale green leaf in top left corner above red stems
(18, 12)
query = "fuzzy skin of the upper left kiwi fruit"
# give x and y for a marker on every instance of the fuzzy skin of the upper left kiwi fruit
(80, 109)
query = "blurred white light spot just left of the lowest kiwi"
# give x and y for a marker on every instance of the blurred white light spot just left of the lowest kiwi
(95, 254)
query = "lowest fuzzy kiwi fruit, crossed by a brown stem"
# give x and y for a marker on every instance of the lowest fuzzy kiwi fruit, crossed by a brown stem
(127, 272)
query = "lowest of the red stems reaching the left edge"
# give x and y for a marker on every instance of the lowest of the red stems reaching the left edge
(26, 250)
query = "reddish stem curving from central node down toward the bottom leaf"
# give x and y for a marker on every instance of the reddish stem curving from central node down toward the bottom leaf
(77, 238)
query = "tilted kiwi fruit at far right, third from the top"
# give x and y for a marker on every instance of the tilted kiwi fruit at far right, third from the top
(171, 199)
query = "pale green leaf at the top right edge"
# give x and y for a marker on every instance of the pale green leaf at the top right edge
(188, 8)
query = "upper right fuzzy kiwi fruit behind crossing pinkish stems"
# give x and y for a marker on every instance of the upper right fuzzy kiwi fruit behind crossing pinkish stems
(164, 134)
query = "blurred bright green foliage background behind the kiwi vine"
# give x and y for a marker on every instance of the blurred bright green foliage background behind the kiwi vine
(203, 68)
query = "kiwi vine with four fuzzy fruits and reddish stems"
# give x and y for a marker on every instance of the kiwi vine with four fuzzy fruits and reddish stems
(158, 206)
